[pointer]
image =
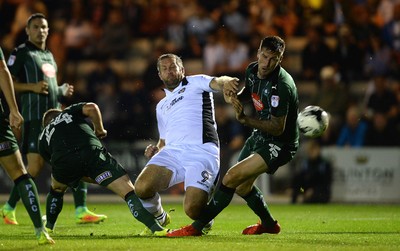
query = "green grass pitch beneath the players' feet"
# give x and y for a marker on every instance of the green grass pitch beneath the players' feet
(304, 227)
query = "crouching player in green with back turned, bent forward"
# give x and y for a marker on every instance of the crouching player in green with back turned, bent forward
(74, 150)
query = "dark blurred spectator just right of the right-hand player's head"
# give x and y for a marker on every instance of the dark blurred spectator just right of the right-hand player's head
(315, 55)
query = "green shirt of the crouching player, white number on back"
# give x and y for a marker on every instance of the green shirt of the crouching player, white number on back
(66, 134)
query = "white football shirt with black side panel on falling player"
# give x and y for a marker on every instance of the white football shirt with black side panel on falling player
(186, 115)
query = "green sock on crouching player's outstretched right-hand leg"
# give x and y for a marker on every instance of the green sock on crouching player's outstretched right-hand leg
(140, 213)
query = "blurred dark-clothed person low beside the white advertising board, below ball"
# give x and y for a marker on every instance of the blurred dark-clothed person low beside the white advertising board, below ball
(313, 176)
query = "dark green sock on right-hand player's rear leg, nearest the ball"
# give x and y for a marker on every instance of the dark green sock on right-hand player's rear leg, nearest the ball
(256, 202)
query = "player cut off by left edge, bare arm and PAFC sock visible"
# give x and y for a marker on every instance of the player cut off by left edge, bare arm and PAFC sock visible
(10, 156)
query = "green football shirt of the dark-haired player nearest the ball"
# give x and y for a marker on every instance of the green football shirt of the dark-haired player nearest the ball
(276, 95)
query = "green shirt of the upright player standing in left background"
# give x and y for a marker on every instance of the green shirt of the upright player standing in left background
(30, 64)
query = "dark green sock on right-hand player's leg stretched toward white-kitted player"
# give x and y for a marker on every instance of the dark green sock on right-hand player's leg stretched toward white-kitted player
(222, 197)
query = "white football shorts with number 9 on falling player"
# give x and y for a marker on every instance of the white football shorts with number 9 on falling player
(195, 165)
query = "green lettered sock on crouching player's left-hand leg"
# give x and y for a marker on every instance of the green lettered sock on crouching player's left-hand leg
(54, 204)
